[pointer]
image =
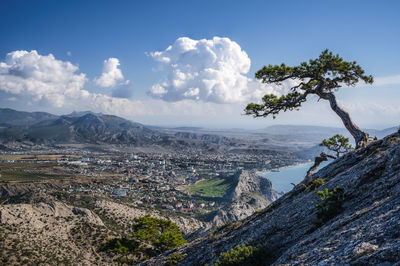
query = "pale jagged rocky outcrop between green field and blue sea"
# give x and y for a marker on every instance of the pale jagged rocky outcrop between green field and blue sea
(252, 193)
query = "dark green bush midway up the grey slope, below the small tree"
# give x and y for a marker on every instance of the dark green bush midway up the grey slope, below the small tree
(331, 204)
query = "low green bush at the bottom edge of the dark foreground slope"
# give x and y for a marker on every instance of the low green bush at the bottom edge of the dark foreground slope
(244, 255)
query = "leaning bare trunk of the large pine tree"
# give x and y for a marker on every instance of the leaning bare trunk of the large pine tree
(360, 137)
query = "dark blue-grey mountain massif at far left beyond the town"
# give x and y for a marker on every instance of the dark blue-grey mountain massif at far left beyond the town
(43, 128)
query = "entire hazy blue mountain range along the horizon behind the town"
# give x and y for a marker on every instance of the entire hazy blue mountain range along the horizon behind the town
(96, 128)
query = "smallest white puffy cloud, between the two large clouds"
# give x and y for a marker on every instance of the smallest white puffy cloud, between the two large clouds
(111, 75)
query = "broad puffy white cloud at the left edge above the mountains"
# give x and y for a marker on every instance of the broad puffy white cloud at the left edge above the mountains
(41, 77)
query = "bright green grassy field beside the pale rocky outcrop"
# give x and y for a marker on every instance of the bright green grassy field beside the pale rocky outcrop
(215, 187)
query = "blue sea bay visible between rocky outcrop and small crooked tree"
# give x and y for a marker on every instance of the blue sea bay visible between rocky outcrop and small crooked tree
(291, 174)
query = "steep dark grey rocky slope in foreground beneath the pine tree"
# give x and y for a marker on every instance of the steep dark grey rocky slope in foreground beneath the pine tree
(365, 231)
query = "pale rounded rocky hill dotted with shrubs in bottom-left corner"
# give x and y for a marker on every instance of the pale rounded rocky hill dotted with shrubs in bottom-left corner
(50, 233)
